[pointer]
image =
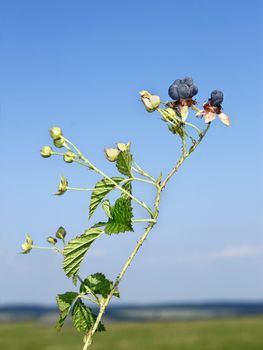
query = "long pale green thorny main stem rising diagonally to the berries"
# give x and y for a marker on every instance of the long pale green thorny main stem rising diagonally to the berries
(184, 155)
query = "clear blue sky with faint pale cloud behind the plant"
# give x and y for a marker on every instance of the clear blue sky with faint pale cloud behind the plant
(80, 65)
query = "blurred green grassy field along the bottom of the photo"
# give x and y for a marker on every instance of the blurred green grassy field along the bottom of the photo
(230, 334)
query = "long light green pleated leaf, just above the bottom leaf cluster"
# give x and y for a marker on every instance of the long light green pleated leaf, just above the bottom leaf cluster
(76, 248)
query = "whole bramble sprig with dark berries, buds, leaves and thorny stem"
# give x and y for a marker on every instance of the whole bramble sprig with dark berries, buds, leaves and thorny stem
(97, 289)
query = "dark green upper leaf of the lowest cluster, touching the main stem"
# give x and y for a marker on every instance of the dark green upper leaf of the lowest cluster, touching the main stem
(98, 284)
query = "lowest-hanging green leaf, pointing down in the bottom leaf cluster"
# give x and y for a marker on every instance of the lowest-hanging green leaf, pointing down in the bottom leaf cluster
(83, 318)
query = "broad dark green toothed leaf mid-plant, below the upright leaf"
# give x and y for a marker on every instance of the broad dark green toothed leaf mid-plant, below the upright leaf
(122, 215)
